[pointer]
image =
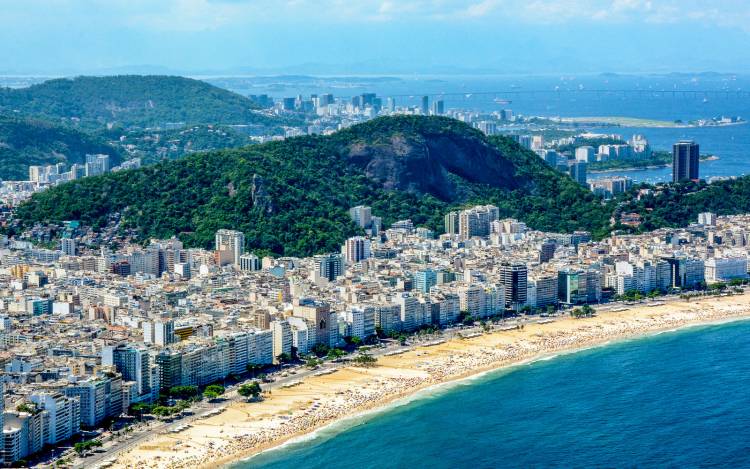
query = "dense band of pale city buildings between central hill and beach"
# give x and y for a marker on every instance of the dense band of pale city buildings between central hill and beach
(86, 332)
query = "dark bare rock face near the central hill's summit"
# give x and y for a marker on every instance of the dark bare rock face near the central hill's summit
(423, 164)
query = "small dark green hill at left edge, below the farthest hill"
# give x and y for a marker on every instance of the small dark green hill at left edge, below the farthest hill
(25, 142)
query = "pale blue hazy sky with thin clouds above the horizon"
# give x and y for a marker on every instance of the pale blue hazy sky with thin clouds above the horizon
(373, 36)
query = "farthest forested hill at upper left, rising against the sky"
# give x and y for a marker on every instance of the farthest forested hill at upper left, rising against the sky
(132, 100)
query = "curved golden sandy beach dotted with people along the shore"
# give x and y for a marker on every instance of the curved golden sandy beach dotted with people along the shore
(244, 429)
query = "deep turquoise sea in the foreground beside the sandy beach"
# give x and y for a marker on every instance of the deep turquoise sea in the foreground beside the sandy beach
(678, 399)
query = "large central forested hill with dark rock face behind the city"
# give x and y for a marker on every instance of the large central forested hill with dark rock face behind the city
(291, 197)
